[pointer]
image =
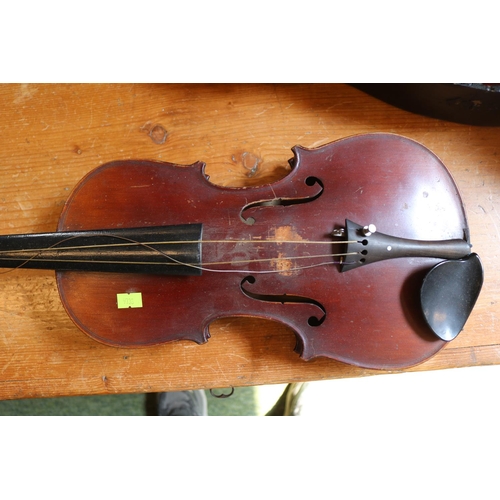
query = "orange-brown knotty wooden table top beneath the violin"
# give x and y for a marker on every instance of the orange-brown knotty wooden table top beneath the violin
(52, 135)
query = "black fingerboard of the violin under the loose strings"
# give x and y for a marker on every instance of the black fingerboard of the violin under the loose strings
(171, 250)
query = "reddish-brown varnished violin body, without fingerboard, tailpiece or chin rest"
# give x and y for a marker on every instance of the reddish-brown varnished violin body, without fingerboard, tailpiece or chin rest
(369, 316)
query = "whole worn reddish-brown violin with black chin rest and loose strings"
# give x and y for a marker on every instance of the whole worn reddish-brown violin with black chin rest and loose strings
(362, 250)
